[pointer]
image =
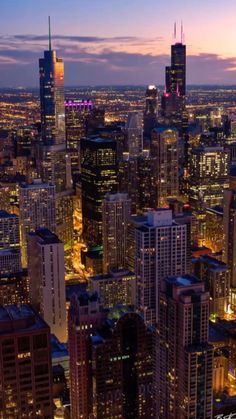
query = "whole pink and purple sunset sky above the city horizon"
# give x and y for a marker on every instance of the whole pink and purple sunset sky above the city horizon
(117, 41)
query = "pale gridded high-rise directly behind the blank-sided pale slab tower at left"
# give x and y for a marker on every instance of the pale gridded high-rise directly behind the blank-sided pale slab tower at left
(37, 209)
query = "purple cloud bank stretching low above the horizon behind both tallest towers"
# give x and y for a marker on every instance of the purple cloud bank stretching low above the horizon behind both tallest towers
(103, 60)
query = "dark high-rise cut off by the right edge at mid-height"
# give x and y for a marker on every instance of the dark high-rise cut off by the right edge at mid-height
(229, 242)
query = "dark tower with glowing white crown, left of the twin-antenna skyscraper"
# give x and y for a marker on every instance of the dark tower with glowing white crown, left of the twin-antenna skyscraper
(151, 108)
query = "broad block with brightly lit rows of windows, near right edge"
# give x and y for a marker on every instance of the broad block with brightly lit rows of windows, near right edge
(208, 176)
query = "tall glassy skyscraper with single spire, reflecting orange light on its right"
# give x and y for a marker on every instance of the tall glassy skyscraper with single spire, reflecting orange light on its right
(51, 71)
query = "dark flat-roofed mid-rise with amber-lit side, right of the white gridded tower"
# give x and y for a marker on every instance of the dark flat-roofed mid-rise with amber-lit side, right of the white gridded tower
(216, 277)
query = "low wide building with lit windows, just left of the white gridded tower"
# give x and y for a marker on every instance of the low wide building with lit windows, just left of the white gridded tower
(118, 287)
